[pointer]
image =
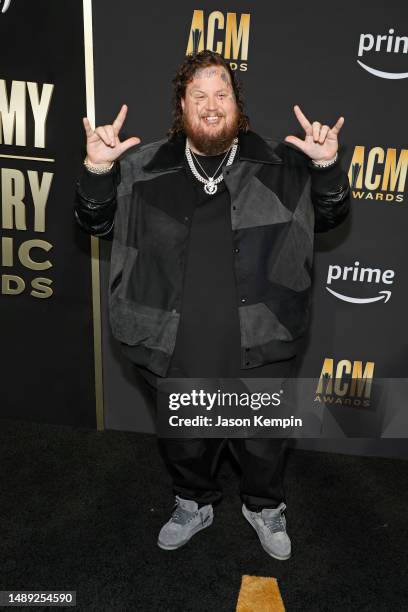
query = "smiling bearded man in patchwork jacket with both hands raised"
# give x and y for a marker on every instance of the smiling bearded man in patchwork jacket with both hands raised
(211, 264)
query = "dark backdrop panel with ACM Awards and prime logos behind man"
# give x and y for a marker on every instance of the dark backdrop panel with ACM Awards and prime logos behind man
(298, 53)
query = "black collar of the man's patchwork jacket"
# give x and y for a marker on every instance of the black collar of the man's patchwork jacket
(170, 155)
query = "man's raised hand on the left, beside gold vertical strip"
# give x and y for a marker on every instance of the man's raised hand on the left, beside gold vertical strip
(103, 145)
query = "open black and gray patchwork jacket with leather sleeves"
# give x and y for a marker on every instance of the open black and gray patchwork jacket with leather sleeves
(145, 206)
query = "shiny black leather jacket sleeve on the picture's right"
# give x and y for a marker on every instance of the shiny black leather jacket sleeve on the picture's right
(330, 193)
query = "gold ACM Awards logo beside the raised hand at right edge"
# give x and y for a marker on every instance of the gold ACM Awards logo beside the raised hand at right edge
(378, 174)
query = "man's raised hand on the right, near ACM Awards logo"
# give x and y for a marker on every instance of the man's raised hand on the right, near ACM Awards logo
(320, 142)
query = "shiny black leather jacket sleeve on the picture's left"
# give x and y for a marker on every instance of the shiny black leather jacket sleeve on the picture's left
(95, 201)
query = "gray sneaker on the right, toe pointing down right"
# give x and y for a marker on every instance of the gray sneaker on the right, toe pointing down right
(270, 525)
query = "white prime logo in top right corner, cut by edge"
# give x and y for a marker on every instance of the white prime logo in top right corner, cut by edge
(380, 45)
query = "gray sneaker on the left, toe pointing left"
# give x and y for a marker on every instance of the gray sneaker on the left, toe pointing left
(184, 522)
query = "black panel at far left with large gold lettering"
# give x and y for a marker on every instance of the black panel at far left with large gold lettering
(47, 359)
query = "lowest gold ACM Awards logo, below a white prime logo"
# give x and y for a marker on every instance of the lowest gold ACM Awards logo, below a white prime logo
(347, 383)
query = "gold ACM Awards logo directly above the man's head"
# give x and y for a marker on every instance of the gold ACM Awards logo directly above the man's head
(227, 34)
